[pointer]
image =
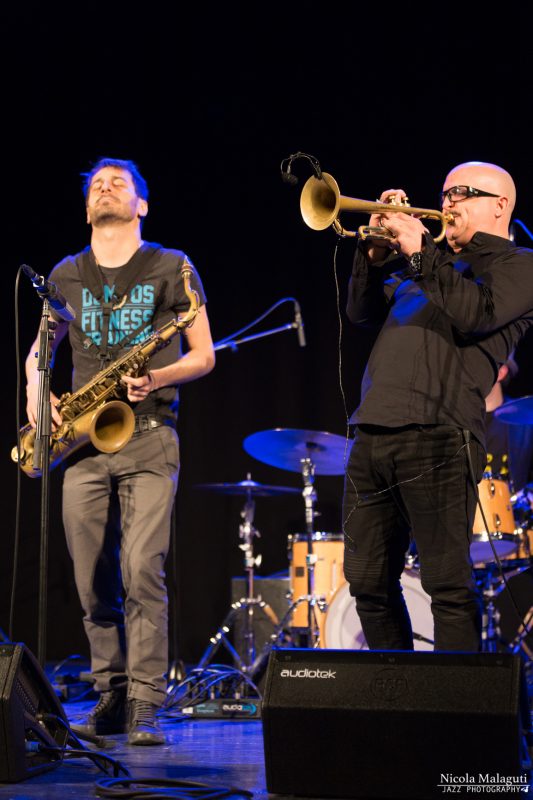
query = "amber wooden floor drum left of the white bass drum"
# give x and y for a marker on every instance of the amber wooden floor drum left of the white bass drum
(328, 573)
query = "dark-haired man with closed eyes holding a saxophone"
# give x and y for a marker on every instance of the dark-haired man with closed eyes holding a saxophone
(117, 507)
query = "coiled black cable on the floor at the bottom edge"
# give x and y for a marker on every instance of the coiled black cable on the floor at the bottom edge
(125, 788)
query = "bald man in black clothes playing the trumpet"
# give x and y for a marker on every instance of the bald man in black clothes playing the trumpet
(447, 321)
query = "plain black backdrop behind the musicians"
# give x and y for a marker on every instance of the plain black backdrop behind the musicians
(209, 106)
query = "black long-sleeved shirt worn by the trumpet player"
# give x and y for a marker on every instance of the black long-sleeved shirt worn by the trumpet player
(442, 336)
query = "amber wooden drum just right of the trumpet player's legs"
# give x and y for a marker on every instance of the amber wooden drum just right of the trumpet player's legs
(495, 500)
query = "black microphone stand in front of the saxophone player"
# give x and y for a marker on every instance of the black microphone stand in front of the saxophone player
(41, 460)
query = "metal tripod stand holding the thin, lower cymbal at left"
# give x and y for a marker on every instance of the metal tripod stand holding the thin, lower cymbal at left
(246, 605)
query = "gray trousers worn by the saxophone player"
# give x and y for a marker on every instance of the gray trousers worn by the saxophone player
(116, 513)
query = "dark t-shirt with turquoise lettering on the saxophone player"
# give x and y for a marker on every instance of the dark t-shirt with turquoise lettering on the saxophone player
(159, 289)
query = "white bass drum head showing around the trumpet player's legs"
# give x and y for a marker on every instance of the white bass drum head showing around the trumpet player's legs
(343, 631)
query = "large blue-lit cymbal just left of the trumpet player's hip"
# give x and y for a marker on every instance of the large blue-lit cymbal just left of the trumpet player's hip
(285, 448)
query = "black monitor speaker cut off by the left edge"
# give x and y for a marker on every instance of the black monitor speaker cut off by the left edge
(31, 716)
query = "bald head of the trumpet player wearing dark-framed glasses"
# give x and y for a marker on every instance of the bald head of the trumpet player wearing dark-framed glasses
(484, 214)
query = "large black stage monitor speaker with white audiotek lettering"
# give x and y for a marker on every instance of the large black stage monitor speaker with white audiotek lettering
(360, 724)
